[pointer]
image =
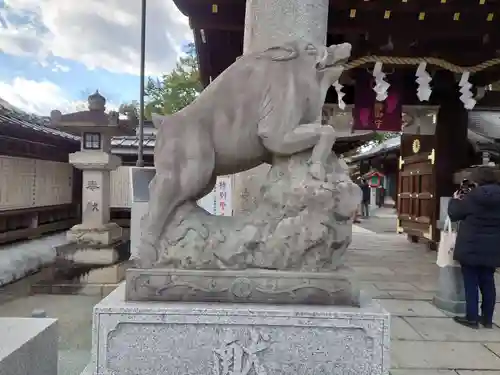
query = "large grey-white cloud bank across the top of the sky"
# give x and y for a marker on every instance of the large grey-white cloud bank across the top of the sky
(97, 33)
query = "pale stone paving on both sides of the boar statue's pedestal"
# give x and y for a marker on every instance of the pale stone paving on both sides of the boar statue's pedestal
(400, 275)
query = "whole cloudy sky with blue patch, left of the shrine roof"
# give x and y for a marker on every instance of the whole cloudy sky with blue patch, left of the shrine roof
(54, 53)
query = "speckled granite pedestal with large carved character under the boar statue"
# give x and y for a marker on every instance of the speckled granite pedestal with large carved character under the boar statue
(145, 338)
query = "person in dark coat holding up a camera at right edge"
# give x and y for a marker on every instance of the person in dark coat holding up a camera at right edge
(477, 246)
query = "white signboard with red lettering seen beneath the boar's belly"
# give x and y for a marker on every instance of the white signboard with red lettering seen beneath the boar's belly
(218, 201)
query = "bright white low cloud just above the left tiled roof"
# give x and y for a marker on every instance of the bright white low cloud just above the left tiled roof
(40, 97)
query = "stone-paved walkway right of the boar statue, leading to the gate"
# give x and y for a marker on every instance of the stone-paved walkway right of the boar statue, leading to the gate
(403, 278)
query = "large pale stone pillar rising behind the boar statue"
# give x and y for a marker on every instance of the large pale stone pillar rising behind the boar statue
(269, 23)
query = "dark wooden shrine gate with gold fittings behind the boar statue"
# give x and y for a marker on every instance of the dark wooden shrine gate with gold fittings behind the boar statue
(452, 37)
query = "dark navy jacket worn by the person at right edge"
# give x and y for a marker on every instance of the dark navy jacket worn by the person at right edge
(478, 238)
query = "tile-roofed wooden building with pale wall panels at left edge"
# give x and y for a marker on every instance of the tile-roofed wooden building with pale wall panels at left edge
(39, 192)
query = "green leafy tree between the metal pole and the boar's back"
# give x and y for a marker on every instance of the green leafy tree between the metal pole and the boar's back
(177, 89)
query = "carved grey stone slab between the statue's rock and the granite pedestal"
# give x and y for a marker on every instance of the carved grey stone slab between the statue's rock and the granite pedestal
(250, 286)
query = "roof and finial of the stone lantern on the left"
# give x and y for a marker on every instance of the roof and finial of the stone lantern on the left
(95, 119)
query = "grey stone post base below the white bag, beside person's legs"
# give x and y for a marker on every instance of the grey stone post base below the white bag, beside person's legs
(451, 295)
